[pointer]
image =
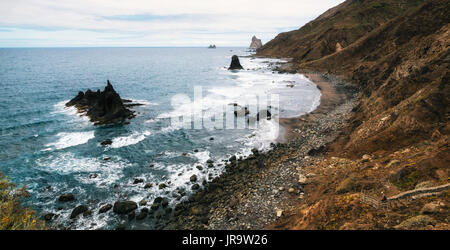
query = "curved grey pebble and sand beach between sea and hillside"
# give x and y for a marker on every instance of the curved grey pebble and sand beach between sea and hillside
(254, 192)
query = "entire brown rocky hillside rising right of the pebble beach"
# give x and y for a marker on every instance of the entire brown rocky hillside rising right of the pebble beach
(397, 54)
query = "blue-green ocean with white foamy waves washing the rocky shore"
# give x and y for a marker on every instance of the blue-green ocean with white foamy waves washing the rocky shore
(53, 150)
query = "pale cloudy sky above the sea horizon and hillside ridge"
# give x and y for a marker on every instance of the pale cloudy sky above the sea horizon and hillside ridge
(149, 23)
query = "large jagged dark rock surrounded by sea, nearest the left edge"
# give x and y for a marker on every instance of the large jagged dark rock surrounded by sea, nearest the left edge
(103, 107)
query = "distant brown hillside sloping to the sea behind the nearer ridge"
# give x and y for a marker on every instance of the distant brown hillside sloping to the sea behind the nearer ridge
(337, 28)
